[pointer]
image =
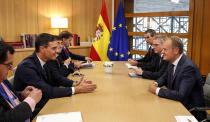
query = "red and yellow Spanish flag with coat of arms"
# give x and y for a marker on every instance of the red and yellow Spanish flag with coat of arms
(102, 36)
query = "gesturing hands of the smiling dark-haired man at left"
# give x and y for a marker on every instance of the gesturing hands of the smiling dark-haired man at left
(85, 86)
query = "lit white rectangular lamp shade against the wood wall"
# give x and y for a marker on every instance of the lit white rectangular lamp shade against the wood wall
(59, 22)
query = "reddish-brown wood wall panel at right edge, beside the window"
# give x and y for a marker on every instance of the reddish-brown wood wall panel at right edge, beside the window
(201, 31)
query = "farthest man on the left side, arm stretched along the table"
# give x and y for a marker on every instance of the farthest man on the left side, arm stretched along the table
(65, 54)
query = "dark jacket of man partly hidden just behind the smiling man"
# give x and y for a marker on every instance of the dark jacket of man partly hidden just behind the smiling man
(64, 71)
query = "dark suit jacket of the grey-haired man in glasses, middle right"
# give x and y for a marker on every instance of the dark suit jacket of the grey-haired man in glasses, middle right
(160, 68)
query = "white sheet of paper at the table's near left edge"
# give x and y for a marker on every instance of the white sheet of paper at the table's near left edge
(61, 117)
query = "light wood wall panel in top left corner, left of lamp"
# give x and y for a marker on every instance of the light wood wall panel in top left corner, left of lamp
(16, 17)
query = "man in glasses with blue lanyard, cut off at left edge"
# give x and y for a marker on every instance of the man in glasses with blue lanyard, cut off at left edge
(14, 107)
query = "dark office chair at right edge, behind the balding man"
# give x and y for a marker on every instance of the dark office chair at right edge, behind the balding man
(206, 90)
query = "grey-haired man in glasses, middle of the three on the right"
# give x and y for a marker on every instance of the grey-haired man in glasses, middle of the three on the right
(160, 65)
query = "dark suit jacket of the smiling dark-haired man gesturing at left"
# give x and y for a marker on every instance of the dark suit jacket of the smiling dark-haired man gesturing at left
(30, 73)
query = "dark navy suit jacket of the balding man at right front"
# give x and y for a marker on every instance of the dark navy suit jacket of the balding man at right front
(185, 86)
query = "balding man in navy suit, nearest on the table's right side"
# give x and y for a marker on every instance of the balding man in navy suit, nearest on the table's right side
(182, 78)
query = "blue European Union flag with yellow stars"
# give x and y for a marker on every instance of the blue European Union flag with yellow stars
(118, 49)
